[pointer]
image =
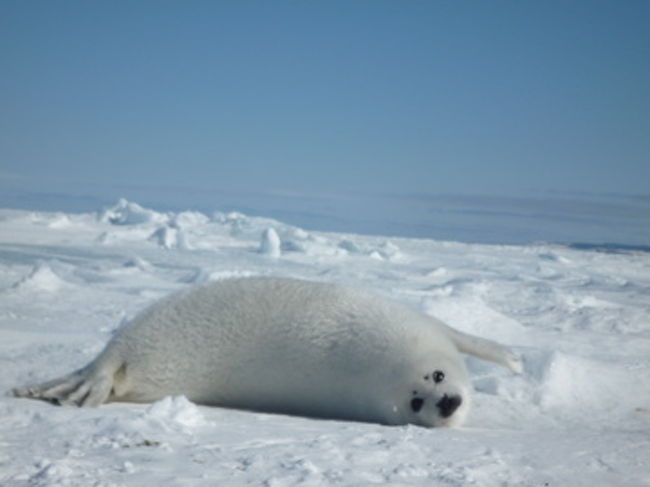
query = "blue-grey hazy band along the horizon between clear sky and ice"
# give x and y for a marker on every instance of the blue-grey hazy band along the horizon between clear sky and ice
(607, 222)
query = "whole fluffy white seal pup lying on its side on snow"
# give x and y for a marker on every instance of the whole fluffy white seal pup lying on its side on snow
(286, 346)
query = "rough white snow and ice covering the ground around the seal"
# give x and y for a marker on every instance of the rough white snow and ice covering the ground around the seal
(580, 319)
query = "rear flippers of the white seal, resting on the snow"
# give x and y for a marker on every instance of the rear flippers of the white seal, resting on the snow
(82, 388)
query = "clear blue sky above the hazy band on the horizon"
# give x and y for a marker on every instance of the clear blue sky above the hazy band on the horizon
(400, 97)
